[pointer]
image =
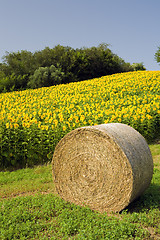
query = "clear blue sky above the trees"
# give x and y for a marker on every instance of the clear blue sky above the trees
(130, 27)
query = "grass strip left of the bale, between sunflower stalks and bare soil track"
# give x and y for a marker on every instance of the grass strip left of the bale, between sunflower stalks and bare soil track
(26, 181)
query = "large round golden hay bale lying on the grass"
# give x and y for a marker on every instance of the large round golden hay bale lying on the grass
(105, 167)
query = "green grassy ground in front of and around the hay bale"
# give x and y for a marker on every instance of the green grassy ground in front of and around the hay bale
(30, 209)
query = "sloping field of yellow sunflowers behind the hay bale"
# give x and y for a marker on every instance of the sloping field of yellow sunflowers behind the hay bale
(33, 121)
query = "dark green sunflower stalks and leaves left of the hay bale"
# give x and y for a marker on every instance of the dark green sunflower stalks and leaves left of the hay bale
(26, 147)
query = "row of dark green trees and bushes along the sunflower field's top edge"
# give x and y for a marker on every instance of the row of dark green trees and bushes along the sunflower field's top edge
(52, 66)
